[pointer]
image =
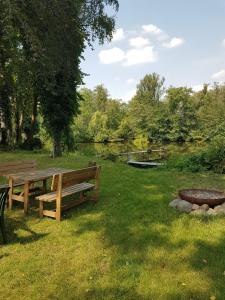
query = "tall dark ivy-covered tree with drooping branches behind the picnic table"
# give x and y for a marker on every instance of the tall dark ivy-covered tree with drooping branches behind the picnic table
(55, 34)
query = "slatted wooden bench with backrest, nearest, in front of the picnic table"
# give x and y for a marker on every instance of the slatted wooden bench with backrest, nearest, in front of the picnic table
(74, 182)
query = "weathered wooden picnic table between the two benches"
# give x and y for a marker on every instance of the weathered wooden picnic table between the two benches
(28, 179)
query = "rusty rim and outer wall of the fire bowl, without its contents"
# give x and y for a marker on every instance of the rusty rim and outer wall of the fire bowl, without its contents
(200, 201)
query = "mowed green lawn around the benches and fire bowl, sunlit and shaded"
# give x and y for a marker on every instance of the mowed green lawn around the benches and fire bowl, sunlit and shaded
(130, 245)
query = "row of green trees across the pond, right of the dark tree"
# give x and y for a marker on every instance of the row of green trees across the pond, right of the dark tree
(176, 114)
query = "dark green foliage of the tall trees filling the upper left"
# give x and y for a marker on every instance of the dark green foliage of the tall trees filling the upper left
(46, 39)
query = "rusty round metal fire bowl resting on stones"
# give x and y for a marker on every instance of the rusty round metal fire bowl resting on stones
(202, 196)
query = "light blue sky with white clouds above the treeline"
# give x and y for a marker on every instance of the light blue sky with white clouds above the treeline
(183, 41)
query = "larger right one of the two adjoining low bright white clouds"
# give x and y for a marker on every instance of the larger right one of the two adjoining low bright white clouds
(140, 56)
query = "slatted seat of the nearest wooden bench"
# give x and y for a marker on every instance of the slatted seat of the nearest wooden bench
(77, 188)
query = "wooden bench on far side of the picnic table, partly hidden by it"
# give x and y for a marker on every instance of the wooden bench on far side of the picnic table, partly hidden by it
(16, 167)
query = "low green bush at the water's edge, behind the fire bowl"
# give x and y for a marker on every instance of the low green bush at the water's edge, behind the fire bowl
(211, 158)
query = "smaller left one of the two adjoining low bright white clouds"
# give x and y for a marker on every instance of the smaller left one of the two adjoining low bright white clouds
(111, 56)
